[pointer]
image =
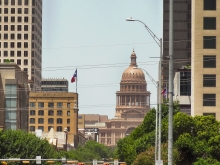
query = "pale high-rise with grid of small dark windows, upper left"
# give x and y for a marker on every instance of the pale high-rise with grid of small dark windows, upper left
(21, 36)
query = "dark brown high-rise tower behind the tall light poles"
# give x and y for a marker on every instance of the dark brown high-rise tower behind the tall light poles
(182, 36)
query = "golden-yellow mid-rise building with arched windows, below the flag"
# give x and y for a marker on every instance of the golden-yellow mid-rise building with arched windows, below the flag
(57, 110)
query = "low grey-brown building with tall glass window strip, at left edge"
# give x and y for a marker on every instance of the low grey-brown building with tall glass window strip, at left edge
(14, 93)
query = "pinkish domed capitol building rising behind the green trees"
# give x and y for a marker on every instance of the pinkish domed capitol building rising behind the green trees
(132, 104)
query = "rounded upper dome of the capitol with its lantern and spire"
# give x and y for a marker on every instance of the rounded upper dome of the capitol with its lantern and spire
(133, 74)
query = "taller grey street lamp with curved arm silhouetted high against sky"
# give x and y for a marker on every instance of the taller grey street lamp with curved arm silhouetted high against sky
(159, 43)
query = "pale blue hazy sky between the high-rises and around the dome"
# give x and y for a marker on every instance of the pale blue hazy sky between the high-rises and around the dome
(94, 37)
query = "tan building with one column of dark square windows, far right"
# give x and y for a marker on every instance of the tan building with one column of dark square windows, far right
(205, 59)
